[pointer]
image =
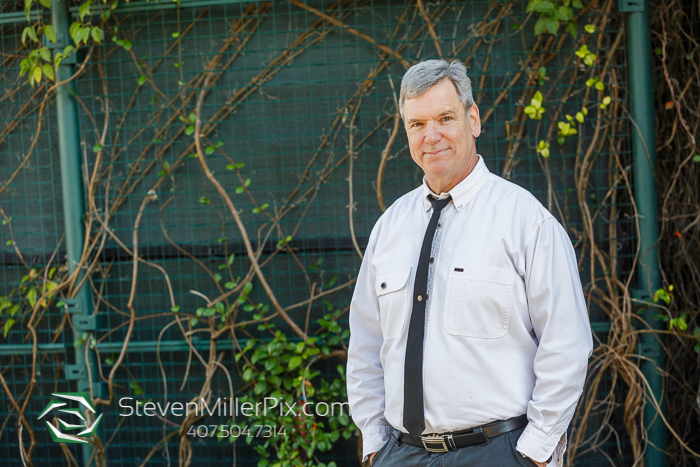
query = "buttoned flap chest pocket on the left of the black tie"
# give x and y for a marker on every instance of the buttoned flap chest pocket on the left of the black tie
(392, 294)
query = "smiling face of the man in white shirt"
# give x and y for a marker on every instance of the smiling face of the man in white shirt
(441, 135)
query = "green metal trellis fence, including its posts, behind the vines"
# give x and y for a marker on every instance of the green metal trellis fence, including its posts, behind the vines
(274, 131)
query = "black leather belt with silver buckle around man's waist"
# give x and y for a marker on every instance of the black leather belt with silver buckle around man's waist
(461, 439)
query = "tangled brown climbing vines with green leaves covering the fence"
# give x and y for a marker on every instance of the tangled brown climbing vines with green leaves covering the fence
(569, 117)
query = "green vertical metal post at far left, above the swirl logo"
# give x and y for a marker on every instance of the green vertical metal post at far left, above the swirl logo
(73, 202)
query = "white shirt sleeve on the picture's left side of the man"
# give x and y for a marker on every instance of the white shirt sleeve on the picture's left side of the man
(365, 374)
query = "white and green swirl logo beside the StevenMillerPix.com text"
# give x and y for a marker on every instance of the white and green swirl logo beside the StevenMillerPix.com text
(87, 431)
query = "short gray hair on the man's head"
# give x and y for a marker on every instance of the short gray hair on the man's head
(424, 75)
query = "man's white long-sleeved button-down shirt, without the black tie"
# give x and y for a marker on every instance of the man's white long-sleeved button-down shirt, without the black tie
(506, 325)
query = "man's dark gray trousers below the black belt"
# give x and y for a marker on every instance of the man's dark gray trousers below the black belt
(499, 452)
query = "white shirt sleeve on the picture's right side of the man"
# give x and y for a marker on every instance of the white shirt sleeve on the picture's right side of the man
(560, 321)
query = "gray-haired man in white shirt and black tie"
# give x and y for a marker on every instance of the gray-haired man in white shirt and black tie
(469, 331)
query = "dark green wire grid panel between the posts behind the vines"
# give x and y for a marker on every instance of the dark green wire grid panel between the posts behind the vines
(279, 92)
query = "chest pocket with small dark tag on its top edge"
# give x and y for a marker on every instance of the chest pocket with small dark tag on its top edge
(478, 301)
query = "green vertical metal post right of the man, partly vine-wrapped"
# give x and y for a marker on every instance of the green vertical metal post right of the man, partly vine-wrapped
(646, 196)
